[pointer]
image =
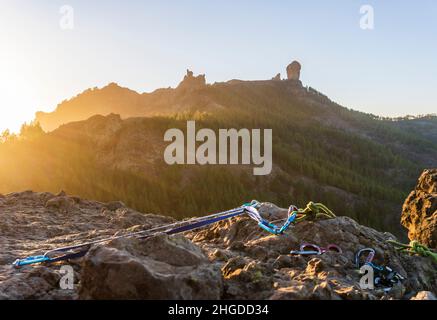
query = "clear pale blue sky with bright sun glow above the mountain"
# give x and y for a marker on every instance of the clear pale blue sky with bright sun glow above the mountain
(390, 70)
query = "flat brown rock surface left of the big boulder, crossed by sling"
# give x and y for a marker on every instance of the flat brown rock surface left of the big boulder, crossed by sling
(34, 222)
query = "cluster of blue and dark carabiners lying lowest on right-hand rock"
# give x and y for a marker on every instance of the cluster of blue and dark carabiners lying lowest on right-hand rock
(384, 276)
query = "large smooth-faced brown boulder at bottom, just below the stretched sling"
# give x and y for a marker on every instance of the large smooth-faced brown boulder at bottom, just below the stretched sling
(157, 268)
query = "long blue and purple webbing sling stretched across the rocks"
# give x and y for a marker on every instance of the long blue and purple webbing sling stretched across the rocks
(77, 251)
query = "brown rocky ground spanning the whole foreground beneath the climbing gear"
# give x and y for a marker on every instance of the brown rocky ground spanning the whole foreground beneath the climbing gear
(232, 259)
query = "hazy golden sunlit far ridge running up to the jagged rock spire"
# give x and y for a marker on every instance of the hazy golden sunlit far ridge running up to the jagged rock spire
(115, 99)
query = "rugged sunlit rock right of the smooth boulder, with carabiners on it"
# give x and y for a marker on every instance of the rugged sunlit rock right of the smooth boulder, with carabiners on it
(257, 265)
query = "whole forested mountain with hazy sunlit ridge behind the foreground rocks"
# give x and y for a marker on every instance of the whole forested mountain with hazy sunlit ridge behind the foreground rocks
(357, 164)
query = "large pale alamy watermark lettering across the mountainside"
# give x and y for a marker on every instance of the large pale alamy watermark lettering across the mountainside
(228, 147)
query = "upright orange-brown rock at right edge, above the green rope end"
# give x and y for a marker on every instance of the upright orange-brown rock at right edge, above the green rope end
(419, 213)
